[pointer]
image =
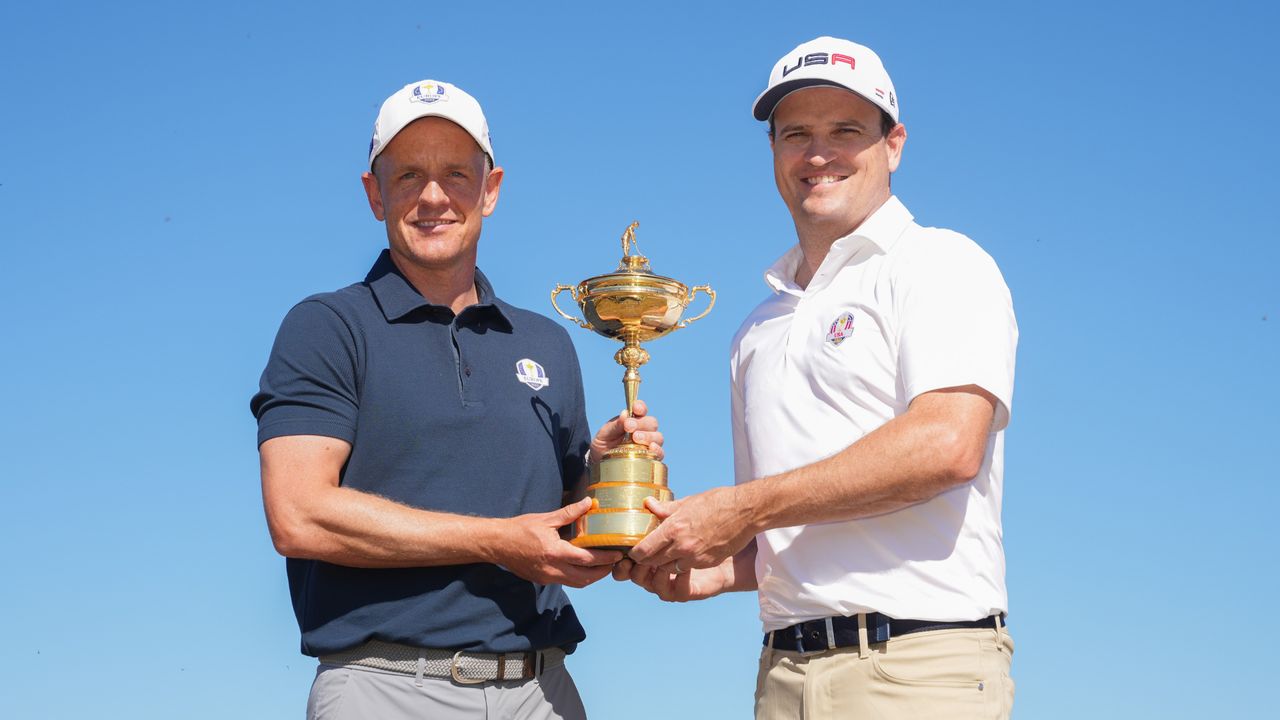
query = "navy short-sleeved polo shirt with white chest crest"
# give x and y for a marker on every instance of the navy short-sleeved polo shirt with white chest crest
(478, 414)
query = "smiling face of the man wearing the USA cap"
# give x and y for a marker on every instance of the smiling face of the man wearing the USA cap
(831, 161)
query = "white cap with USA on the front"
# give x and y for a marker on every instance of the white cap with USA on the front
(829, 62)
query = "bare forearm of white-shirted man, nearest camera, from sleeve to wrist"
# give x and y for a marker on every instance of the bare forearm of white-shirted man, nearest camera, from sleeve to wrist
(909, 461)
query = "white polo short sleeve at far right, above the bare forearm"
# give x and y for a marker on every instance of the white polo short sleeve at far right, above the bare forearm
(957, 323)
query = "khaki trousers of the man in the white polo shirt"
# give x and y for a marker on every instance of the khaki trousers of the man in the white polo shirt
(941, 675)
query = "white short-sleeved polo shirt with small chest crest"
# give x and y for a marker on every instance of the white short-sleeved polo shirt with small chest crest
(894, 312)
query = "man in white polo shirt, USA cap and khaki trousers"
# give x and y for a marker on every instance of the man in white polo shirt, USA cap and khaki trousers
(871, 391)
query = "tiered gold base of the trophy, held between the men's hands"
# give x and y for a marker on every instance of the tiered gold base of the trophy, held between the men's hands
(620, 484)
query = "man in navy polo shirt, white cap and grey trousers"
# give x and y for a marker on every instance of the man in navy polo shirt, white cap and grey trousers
(419, 438)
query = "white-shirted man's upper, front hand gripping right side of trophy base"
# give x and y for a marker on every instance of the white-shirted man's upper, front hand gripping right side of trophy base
(701, 531)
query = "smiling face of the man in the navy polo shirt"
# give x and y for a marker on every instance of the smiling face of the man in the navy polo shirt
(432, 186)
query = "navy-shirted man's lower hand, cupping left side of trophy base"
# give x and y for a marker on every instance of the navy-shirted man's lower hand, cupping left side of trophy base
(536, 552)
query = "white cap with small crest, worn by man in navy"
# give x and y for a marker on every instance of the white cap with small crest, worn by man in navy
(429, 99)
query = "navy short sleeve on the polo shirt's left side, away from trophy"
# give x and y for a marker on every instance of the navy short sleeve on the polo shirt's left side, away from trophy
(310, 384)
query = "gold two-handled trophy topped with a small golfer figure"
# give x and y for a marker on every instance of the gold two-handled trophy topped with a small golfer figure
(633, 306)
